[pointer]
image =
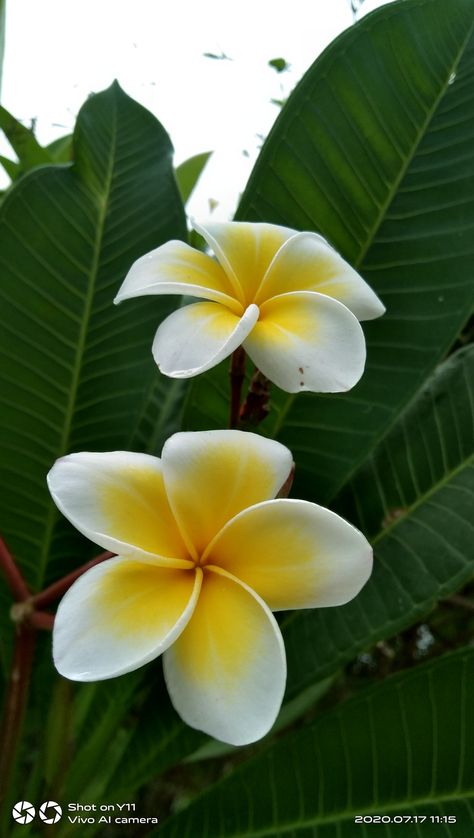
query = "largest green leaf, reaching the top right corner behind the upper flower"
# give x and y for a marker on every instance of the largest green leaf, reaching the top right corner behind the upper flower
(374, 150)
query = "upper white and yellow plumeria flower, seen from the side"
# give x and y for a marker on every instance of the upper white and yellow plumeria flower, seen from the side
(288, 298)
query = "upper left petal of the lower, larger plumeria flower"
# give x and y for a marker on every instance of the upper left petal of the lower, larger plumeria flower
(118, 500)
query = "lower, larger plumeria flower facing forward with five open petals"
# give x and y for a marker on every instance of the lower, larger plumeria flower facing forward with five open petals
(205, 552)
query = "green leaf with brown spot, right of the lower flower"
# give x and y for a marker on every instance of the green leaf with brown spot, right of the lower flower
(416, 494)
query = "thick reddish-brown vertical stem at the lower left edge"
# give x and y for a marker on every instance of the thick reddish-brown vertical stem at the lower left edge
(15, 703)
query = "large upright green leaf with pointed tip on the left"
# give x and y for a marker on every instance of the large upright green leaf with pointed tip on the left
(76, 371)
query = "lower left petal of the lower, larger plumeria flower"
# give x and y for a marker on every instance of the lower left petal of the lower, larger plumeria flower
(120, 615)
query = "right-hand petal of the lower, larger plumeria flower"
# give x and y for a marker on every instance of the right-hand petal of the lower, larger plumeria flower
(294, 554)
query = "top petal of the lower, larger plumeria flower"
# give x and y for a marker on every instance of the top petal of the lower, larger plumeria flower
(210, 476)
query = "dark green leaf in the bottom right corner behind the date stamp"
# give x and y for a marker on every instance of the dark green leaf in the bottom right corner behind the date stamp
(405, 747)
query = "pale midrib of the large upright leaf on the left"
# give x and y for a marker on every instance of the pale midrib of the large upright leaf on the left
(52, 513)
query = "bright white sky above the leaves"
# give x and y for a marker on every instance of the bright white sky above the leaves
(58, 51)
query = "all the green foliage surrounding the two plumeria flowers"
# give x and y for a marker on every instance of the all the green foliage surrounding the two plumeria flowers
(373, 150)
